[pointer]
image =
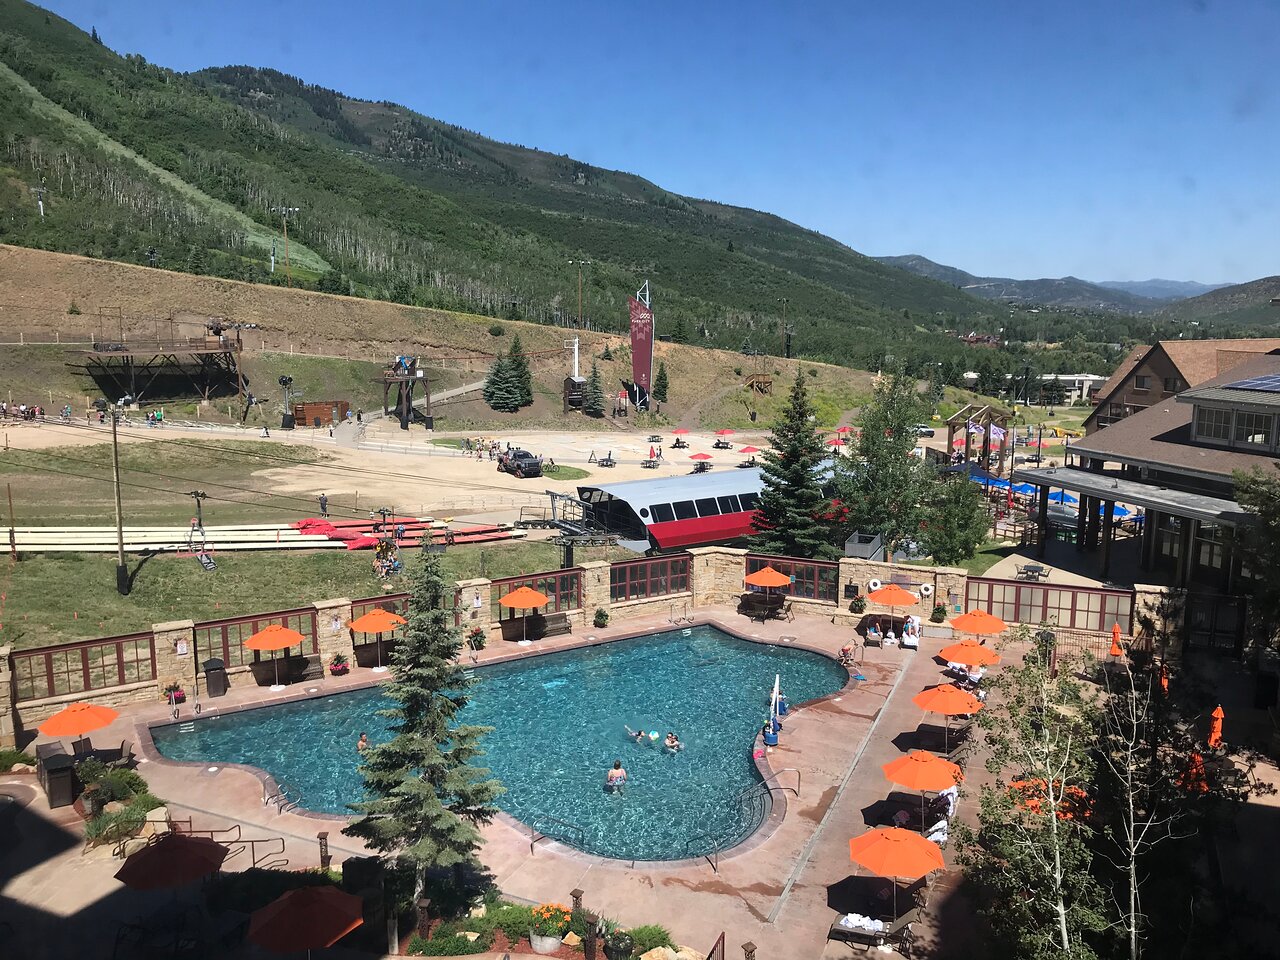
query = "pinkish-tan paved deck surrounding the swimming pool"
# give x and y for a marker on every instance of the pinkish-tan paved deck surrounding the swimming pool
(774, 892)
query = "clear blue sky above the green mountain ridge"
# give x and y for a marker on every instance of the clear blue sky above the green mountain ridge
(1104, 140)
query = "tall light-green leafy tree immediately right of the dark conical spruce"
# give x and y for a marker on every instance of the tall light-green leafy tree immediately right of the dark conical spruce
(885, 486)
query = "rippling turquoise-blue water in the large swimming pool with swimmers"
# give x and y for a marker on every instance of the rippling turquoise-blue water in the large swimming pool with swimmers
(559, 725)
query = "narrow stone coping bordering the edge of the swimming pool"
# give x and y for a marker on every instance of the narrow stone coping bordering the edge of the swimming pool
(779, 808)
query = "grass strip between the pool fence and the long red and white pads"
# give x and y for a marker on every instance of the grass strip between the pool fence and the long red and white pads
(56, 598)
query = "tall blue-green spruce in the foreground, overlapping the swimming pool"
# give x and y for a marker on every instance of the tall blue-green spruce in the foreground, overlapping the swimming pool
(427, 799)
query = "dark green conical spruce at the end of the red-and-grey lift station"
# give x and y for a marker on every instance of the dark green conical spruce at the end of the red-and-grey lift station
(790, 505)
